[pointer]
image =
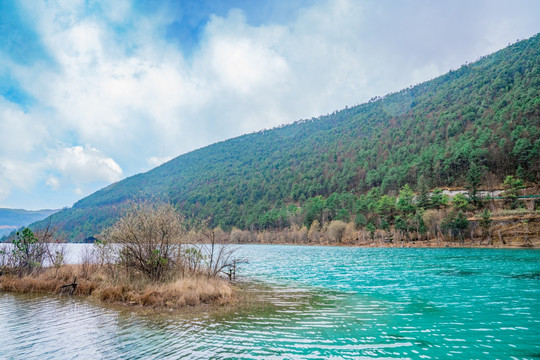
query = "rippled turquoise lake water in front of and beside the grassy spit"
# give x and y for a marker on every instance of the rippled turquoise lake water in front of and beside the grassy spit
(340, 303)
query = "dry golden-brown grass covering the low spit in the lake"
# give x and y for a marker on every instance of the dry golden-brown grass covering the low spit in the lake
(187, 291)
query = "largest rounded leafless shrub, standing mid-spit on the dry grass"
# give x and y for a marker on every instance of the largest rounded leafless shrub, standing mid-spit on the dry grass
(148, 237)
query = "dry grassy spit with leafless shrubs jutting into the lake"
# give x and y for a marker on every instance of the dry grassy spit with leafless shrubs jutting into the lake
(141, 260)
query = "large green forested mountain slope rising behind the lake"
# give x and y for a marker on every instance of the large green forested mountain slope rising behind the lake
(483, 116)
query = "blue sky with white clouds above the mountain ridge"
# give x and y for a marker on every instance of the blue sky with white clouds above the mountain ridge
(92, 92)
